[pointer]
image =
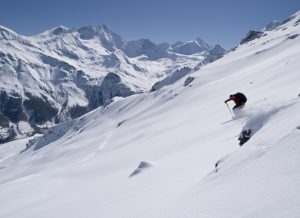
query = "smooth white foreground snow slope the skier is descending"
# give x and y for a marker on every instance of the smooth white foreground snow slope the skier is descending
(154, 154)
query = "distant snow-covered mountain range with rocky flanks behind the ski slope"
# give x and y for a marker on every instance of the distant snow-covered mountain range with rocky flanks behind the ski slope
(63, 73)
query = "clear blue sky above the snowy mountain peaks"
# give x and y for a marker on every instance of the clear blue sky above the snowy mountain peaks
(215, 21)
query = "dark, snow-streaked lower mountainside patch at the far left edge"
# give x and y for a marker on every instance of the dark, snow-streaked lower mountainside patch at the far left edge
(22, 110)
